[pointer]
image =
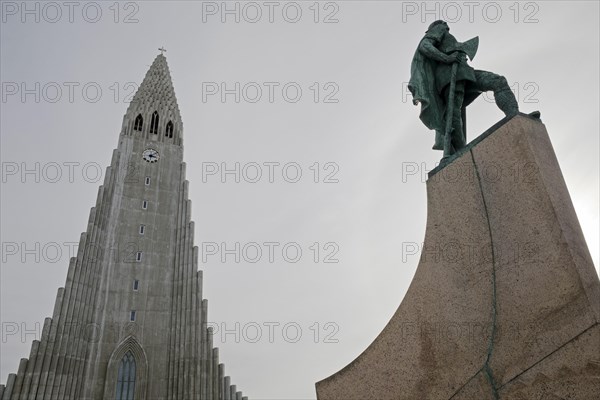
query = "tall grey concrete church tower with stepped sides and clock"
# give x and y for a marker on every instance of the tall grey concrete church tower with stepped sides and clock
(131, 322)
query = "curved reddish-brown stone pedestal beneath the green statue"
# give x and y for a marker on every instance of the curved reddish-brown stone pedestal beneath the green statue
(505, 303)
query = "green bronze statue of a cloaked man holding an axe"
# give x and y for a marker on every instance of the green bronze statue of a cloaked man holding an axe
(444, 84)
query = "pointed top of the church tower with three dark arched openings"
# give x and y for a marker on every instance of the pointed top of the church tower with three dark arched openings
(155, 95)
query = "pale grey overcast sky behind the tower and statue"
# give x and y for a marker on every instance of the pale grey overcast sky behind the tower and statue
(362, 131)
